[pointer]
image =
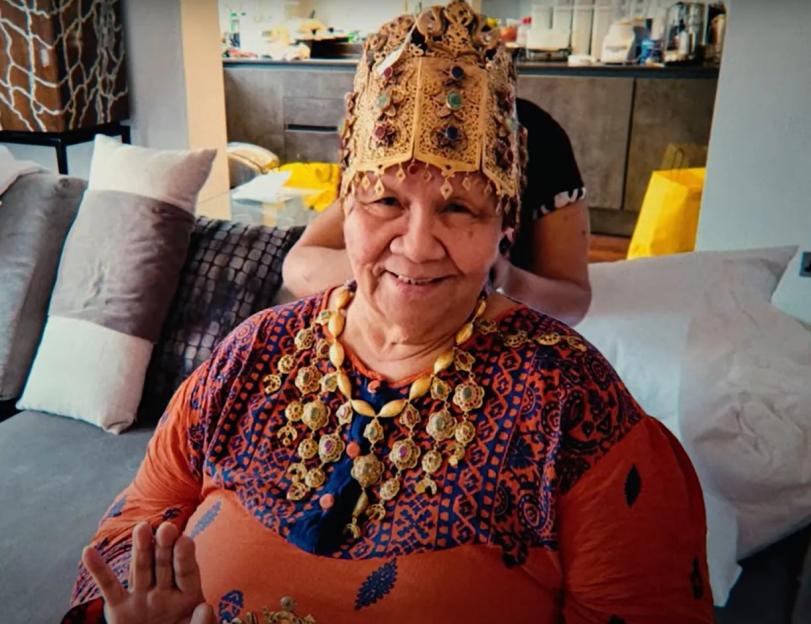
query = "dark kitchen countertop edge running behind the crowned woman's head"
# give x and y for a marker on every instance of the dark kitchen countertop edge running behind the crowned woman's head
(528, 68)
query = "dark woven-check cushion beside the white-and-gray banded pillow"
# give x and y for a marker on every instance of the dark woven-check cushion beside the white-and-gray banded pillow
(232, 271)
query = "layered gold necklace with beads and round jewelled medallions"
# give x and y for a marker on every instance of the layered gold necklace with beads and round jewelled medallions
(319, 438)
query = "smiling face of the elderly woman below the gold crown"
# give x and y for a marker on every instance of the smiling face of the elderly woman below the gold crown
(419, 259)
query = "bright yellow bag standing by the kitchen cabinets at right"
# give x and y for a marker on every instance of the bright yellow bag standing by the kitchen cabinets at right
(668, 220)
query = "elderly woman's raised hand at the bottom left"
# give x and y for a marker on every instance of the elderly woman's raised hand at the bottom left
(164, 582)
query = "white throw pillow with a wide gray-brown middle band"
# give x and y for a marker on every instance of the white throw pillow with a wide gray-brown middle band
(116, 279)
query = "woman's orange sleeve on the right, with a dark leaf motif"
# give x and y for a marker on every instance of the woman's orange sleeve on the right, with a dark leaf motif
(631, 513)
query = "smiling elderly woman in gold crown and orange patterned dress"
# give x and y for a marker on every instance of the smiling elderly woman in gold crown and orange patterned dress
(410, 447)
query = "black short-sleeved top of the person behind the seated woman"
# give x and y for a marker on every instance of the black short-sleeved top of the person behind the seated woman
(553, 178)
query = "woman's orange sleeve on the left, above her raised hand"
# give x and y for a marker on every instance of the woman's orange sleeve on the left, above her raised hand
(168, 484)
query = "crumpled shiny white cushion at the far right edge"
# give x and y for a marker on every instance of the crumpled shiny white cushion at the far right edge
(745, 413)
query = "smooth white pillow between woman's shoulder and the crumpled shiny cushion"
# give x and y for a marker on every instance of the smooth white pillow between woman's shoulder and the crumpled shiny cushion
(640, 318)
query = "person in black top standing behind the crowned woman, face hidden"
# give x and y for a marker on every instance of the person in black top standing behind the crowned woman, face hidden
(547, 264)
